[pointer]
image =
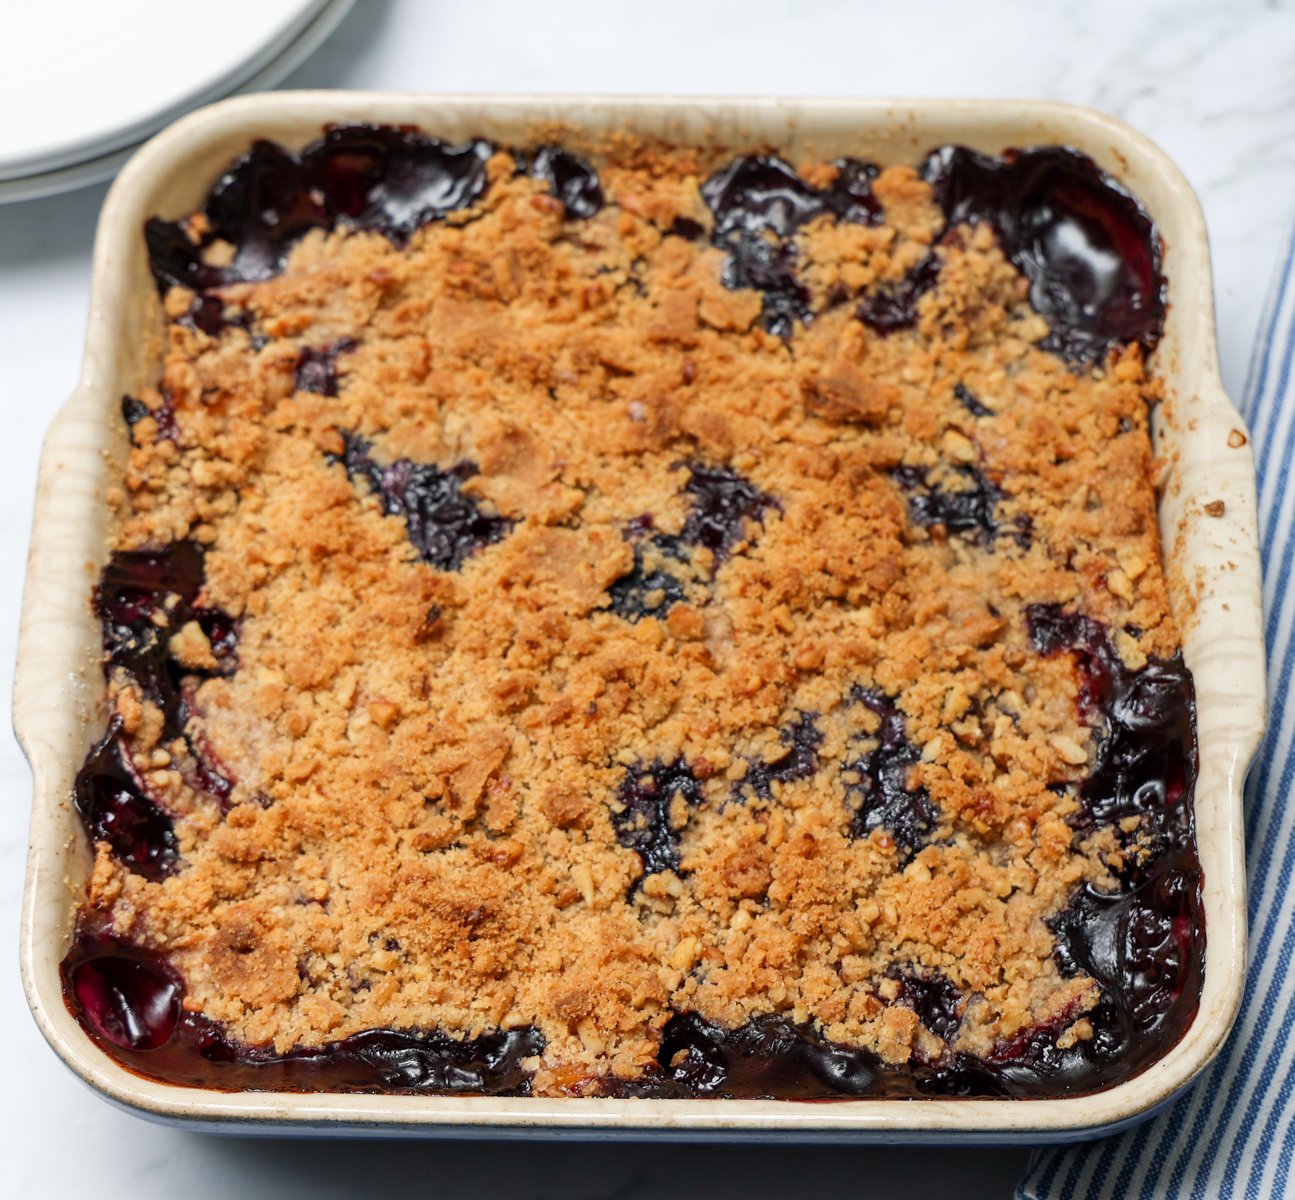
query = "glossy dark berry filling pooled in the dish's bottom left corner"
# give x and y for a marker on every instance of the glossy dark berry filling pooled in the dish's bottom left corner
(126, 996)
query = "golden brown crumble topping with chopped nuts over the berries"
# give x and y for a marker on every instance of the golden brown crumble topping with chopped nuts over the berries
(428, 827)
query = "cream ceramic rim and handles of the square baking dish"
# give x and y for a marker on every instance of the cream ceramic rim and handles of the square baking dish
(1208, 520)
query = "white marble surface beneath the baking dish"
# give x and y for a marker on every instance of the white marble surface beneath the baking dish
(1211, 82)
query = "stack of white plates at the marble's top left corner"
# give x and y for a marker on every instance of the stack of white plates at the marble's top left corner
(85, 82)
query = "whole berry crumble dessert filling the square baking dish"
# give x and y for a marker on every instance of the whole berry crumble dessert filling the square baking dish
(684, 626)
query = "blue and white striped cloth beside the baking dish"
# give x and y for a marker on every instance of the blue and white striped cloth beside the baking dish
(1233, 1135)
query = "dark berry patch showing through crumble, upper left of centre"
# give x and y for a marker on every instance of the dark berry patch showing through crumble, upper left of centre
(445, 526)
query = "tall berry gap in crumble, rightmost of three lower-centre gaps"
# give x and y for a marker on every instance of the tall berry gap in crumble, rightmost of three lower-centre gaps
(877, 789)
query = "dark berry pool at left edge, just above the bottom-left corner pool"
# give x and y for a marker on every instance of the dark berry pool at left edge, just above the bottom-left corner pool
(116, 807)
